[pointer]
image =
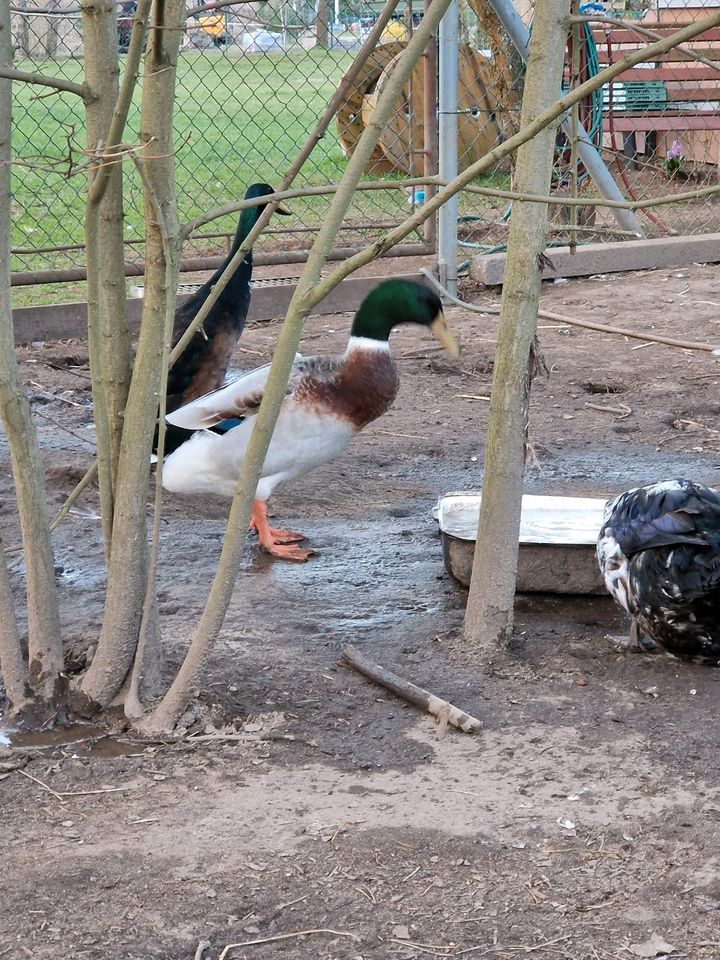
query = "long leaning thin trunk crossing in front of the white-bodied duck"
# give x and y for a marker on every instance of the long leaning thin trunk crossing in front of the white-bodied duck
(172, 705)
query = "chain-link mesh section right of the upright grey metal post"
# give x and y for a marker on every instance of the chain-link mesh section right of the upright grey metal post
(657, 127)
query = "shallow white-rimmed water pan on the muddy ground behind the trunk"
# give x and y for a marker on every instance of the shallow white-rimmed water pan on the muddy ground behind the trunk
(557, 541)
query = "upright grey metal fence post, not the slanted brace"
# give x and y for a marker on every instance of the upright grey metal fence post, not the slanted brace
(448, 36)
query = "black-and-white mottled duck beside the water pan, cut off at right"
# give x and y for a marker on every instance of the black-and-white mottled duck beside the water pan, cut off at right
(659, 552)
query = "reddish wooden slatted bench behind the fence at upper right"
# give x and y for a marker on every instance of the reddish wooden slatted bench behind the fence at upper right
(675, 97)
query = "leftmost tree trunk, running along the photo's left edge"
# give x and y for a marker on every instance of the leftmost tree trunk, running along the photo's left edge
(44, 644)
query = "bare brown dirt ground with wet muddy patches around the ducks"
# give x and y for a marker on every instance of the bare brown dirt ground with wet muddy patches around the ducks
(582, 823)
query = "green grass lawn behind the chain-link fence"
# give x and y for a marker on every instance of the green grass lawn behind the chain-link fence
(238, 118)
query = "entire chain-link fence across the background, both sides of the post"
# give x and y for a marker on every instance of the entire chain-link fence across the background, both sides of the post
(253, 79)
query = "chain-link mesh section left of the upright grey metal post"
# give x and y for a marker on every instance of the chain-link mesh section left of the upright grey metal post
(252, 81)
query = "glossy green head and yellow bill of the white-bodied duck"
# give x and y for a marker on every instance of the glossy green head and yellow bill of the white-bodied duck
(402, 301)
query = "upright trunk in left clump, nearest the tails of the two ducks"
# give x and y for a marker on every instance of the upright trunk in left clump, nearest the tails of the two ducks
(128, 560)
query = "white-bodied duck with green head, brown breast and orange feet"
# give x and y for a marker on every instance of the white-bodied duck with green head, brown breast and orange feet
(328, 401)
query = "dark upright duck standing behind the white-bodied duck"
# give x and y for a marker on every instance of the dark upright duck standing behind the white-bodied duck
(204, 364)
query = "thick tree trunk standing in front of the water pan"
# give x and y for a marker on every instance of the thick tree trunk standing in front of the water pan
(489, 614)
